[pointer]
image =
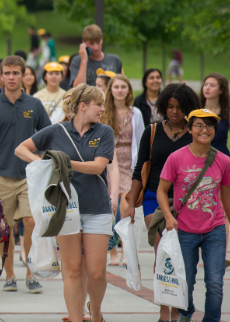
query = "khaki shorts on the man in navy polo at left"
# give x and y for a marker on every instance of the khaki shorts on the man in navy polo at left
(14, 194)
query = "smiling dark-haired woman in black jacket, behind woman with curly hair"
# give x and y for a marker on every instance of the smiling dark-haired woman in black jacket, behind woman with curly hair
(146, 102)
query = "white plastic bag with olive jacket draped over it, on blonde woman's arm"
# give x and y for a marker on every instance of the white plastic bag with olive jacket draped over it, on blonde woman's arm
(38, 176)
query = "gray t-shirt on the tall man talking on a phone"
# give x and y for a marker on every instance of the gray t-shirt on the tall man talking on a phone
(109, 62)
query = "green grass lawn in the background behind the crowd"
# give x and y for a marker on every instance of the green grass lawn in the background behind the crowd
(131, 57)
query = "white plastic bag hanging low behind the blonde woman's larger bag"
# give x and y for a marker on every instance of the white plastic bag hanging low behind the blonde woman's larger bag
(42, 260)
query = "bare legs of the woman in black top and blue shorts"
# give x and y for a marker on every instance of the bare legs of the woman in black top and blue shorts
(164, 310)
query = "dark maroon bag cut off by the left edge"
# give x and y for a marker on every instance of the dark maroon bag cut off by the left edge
(4, 235)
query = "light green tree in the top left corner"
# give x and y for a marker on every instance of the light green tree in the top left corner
(10, 14)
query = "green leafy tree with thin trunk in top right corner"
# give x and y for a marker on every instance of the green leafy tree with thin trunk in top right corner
(205, 25)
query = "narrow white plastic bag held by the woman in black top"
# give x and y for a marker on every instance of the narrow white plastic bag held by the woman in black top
(131, 237)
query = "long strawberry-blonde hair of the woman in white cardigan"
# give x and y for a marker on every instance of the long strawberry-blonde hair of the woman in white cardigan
(110, 116)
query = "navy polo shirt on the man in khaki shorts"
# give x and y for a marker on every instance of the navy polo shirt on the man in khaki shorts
(18, 123)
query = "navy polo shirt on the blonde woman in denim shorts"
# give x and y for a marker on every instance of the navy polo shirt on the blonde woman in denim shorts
(98, 141)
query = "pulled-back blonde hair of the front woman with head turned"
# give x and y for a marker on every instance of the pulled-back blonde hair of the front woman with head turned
(87, 94)
